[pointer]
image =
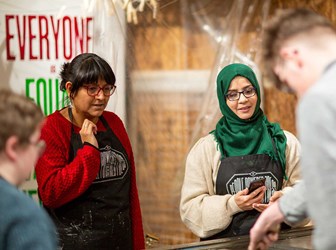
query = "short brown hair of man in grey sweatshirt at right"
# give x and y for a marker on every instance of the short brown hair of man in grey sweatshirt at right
(284, 25)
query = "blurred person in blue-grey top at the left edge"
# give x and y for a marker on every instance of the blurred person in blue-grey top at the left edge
(23, 224)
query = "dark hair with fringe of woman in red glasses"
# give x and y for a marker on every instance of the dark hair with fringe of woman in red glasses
(86, 68)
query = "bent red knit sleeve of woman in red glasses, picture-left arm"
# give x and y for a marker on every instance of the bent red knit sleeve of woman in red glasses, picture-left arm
(59, 181)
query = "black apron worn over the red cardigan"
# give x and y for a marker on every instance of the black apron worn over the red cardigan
(100, 217)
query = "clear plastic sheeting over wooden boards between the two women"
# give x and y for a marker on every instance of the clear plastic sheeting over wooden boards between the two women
(174, 62)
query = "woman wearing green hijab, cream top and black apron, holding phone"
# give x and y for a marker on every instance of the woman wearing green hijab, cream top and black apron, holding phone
(244, 147)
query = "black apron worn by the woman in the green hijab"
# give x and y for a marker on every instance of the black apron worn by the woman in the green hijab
(235, 174)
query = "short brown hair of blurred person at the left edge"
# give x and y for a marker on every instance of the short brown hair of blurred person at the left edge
(20, 117)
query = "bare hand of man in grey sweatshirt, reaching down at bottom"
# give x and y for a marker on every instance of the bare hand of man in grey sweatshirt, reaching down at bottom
(266, 229)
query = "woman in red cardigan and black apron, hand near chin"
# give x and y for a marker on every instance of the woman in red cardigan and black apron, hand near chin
(86, 178)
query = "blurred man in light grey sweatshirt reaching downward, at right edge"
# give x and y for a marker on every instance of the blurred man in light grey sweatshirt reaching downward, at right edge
(300, 49)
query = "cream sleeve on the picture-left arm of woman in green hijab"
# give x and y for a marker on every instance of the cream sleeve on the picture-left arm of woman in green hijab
(201, 210)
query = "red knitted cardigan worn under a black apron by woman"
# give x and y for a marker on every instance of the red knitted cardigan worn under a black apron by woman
(60, 182)
